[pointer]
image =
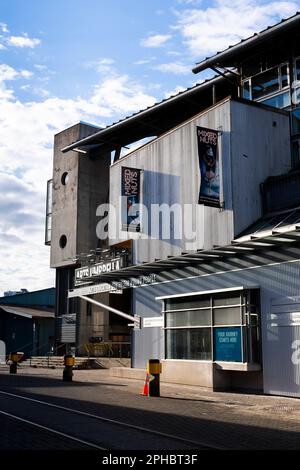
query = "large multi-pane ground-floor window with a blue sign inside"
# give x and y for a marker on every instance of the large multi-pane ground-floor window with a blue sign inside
(219, 327)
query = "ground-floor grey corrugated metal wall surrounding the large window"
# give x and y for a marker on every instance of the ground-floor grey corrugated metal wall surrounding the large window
(281, 375)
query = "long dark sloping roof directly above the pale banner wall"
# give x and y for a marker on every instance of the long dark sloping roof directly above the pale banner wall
(156, 119)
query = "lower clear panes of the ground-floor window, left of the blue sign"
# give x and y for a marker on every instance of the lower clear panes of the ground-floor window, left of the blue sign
(188, 344)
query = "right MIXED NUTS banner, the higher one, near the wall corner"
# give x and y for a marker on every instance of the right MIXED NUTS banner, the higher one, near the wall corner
(209, 193)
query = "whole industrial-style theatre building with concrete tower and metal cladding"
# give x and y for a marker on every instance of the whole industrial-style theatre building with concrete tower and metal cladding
(200, 238)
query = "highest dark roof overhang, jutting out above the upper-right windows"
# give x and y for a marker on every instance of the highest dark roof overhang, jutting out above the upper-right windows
(231, 56)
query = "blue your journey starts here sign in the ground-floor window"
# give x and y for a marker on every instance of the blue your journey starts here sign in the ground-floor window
(228, 344)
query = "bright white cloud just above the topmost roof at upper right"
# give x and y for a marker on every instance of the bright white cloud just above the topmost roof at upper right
(225, 22)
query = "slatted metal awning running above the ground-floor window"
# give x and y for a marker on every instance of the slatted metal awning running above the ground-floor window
(245, 246)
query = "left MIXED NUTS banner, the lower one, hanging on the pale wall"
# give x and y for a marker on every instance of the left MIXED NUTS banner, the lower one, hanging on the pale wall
(130, 192)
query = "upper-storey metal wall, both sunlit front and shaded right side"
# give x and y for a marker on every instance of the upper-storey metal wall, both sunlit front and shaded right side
(253, 144)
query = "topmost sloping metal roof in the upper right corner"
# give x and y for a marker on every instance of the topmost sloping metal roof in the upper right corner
(231, 53)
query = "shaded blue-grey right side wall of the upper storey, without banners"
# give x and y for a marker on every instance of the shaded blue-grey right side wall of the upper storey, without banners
(259, 149)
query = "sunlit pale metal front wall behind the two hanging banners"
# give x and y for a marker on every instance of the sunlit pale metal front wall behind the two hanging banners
(171, 175)
